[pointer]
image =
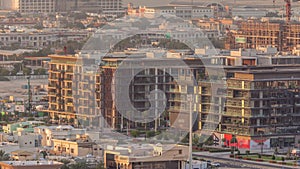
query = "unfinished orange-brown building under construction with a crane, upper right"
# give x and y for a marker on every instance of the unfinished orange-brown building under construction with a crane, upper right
(284, 35)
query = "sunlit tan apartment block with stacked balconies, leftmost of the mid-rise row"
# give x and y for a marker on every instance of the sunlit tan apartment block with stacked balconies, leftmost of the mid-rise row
(71, 91)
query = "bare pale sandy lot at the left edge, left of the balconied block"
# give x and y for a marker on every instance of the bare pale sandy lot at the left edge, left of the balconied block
(14, 87)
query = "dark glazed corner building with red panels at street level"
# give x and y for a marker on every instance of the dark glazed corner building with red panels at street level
(262, 105)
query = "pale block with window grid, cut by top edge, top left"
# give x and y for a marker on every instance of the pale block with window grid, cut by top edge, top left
(37, 6)
